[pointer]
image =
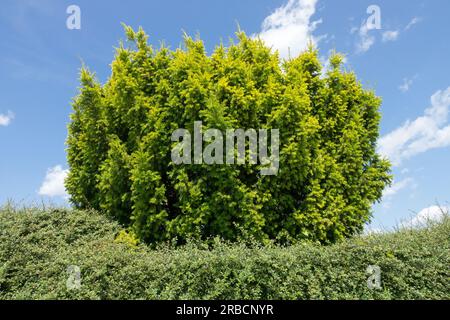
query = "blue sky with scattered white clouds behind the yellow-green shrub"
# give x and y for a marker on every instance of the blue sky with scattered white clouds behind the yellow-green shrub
(406, 62)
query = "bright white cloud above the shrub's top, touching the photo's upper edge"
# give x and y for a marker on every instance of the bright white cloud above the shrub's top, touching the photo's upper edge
(289, 28)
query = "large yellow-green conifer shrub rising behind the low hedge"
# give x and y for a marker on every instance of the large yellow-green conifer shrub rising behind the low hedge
(119, 144)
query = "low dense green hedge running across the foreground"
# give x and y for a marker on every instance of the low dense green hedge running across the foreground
(36, 247)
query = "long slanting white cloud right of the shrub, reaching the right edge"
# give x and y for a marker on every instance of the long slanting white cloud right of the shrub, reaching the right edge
(429, 131)
